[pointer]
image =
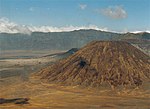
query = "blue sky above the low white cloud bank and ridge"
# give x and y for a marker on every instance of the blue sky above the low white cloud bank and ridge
(114, 15)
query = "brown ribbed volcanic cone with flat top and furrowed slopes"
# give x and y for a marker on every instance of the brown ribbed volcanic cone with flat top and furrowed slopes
(113, 64)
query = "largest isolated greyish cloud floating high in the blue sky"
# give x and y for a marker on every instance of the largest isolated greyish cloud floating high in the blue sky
(113, 12)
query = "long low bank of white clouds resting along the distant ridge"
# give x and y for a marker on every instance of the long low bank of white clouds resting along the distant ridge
(7, 26)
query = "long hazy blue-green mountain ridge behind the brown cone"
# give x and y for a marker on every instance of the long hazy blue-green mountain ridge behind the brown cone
(62, 40)
